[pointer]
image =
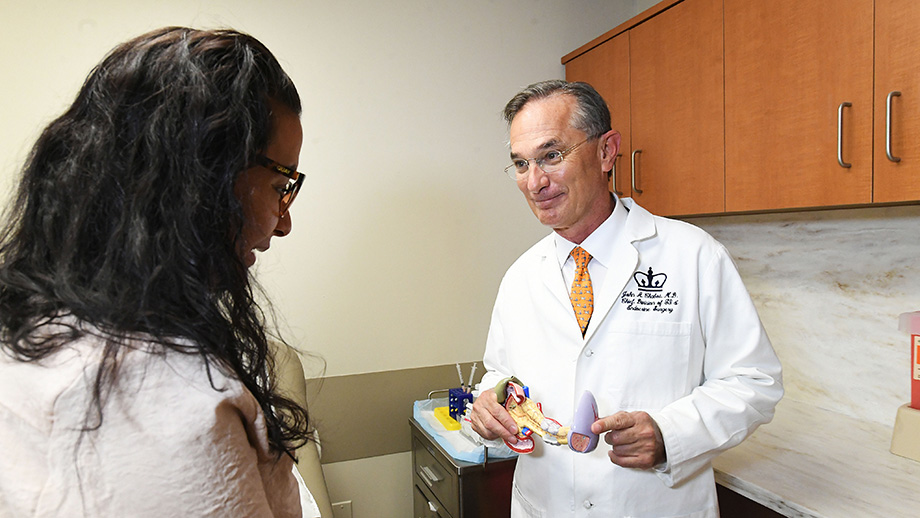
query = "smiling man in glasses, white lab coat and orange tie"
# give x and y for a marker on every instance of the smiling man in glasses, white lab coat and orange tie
(673, 349)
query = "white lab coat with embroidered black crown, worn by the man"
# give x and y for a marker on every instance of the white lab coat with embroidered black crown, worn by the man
(694, 355)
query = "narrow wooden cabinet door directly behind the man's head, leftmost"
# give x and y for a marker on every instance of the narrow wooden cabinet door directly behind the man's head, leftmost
(606, 68)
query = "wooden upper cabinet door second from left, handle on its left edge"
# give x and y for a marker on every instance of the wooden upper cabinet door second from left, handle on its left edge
(675, 73)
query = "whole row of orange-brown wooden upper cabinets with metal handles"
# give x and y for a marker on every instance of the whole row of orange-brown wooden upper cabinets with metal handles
(801, 104)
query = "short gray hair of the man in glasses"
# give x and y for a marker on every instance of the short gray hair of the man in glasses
(591, 114)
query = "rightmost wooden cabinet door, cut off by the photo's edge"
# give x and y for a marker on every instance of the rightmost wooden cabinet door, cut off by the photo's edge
(897, 85)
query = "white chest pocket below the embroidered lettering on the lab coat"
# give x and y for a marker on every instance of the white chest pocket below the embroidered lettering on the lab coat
(649, 362)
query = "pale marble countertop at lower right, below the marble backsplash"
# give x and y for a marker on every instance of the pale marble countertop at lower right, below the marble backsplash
(810, 462)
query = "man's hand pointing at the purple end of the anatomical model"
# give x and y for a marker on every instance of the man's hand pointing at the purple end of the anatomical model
(634, 437)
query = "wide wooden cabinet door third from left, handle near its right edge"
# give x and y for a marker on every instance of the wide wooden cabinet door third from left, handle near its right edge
(798, 103)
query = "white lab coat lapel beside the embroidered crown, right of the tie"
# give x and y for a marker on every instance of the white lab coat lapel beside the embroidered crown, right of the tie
(639, 226)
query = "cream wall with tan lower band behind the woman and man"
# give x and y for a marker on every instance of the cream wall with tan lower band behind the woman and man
(406, 222)
